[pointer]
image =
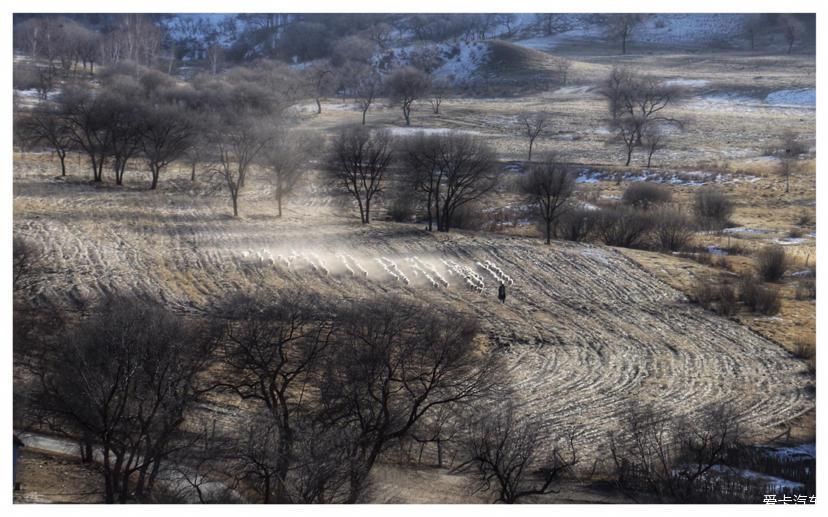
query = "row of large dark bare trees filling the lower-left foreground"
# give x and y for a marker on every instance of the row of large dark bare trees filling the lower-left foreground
(327, 391)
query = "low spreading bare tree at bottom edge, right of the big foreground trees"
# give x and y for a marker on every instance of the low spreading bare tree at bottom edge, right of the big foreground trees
(507, 452)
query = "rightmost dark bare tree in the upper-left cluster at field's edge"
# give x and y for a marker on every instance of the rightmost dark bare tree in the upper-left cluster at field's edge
(165, 137)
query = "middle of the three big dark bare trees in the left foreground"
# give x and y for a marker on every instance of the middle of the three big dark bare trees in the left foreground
(274, 344)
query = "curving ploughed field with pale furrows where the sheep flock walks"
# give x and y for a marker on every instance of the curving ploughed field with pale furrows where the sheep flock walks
(583, 330)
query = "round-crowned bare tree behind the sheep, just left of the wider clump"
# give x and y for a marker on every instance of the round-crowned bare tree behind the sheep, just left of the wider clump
(358, 161)
